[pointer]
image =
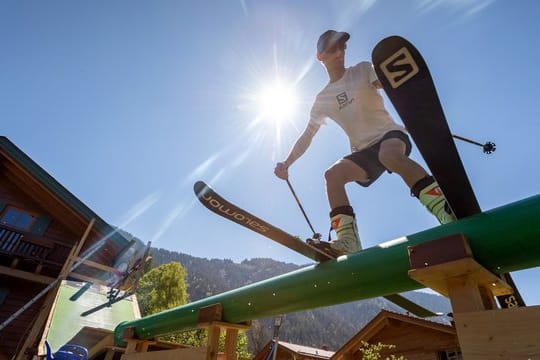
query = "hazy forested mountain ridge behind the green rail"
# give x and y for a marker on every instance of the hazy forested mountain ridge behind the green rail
(329, 326)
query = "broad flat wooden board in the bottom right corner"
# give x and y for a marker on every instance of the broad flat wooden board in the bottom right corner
(500, 334)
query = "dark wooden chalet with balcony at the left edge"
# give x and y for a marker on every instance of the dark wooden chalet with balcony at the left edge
(45, 233)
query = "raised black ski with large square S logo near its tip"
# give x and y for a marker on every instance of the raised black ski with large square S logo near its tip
(407, 81)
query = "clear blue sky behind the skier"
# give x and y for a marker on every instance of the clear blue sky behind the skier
(128, 103)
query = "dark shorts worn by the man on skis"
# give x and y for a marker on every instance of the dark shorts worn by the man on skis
(368, 158)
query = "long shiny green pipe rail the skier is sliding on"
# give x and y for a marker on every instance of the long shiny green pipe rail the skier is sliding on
(502, 240)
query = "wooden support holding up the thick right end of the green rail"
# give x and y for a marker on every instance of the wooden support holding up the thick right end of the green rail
(484, 331)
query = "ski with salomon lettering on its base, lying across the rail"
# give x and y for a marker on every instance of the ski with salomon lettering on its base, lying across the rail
(217, 204)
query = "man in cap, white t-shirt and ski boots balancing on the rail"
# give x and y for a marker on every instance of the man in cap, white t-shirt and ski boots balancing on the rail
(352, 100)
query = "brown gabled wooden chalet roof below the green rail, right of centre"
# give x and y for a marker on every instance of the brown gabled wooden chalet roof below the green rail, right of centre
(413, 338)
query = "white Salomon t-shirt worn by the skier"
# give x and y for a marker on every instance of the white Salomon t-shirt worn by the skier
(356, 105)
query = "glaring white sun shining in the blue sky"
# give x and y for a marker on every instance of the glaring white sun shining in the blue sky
(277, 102)
